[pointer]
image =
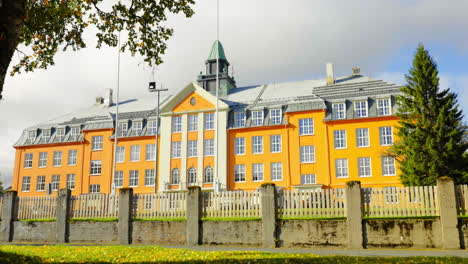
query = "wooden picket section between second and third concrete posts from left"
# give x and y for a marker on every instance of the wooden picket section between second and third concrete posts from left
(94, 206)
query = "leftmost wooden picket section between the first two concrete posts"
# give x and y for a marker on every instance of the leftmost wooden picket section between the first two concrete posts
(36, 207)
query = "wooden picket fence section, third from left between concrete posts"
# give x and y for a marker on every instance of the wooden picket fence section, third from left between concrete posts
(160, 205)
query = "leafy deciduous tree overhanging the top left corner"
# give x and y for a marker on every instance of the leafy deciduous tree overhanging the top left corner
(38, 29)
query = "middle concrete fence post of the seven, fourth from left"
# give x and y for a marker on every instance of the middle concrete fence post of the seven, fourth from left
(194, 213)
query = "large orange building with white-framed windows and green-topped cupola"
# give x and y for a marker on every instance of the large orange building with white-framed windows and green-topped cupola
(307, 134)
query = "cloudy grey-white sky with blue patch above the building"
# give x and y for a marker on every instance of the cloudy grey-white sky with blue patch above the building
(265, 40)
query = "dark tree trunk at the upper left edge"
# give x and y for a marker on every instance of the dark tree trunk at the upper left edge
(11, 19)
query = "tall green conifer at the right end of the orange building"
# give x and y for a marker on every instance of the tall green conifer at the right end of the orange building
(430, 130)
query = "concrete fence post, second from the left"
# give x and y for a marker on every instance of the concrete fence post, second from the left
(62, 214)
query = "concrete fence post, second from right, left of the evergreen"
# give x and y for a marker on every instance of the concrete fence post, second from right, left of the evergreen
(354, 215)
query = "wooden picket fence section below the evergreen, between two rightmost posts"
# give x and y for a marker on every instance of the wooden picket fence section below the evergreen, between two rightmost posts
(400, 201)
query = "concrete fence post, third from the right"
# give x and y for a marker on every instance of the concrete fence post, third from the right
(269, 214)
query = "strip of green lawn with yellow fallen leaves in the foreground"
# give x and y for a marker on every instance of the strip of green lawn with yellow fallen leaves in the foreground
(153, 254)
